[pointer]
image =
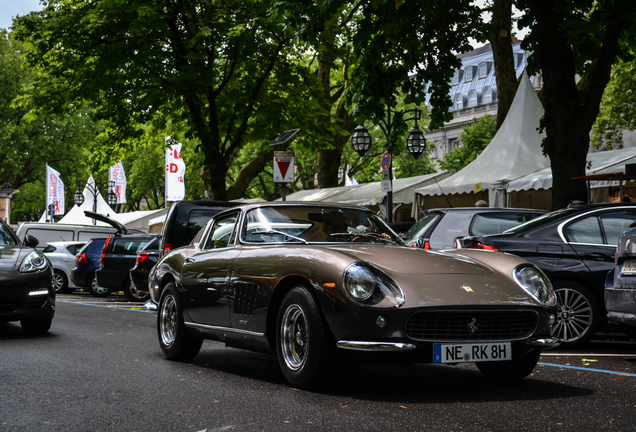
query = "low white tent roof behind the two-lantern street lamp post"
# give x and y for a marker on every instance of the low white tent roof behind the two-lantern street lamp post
(370, 194)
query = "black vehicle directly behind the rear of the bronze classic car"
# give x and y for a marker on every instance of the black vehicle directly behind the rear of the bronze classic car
(185, 219)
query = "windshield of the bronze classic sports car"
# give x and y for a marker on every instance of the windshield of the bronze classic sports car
(309, 224)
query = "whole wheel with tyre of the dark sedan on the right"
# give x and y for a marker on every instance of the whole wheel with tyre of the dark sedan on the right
(578, 314)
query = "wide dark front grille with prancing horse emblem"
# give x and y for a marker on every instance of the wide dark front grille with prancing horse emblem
(453, 325)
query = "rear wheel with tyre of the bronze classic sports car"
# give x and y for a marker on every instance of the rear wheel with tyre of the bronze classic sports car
(176, 342)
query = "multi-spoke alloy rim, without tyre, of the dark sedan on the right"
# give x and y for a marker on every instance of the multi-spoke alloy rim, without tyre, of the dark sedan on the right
(574, 315)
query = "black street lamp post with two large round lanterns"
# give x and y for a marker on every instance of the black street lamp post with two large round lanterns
(415, 144)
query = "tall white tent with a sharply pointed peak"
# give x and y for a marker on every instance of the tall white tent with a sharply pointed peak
(514, 151)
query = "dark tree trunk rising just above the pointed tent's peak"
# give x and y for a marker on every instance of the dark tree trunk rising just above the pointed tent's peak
(501, 42)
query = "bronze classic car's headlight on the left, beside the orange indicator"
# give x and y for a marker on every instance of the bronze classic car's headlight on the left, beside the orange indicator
(370, 286)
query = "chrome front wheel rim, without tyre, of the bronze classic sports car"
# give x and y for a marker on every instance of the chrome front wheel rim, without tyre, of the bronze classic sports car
(294, 338)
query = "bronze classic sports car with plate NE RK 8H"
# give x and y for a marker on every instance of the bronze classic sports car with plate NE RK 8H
(311, 282)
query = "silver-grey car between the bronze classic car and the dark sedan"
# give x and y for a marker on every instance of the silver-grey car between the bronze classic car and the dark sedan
(439, 228)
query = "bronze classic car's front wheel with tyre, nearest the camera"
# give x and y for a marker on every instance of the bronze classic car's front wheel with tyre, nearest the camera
(302, 341)
